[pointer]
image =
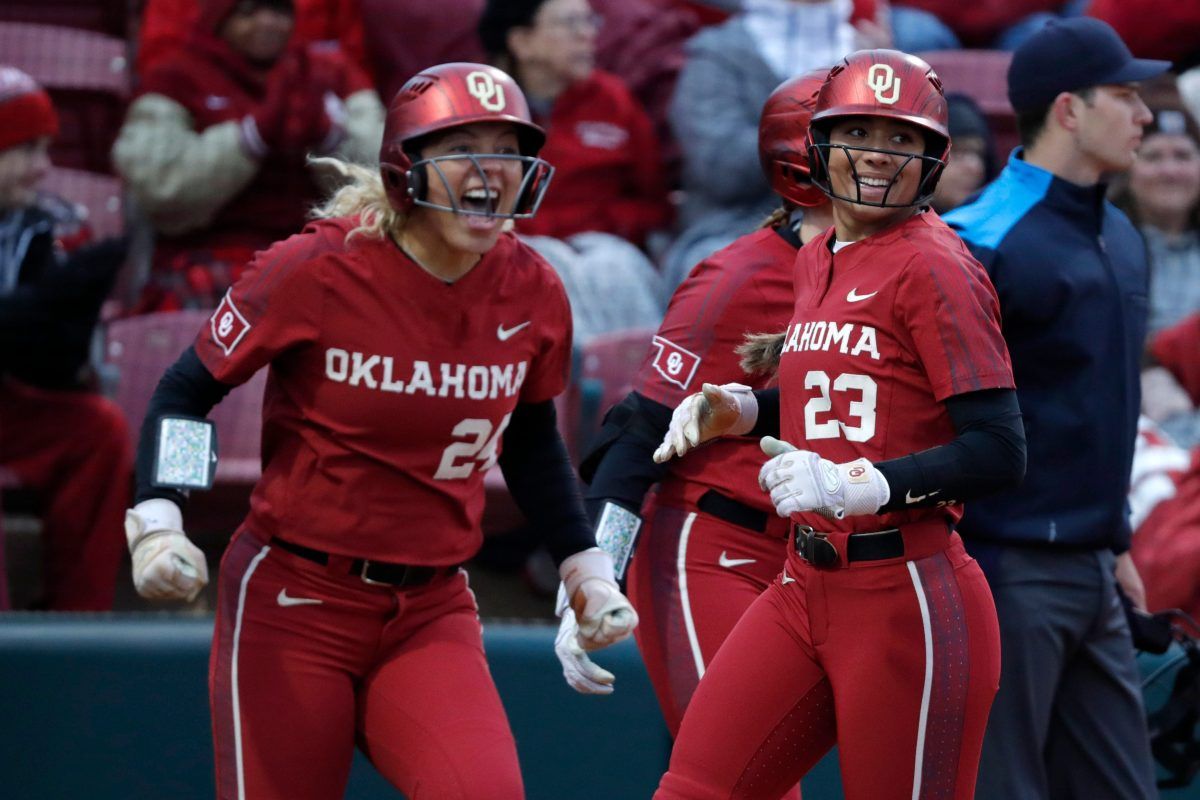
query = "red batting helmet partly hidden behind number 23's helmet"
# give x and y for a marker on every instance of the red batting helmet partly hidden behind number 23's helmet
(783, 139)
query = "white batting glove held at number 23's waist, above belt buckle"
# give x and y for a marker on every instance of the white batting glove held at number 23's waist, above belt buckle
(801, 480)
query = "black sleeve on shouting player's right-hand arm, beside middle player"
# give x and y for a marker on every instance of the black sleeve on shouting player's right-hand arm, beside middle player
(541, 479)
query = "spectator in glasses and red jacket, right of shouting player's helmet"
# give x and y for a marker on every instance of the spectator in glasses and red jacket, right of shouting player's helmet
(608, 193)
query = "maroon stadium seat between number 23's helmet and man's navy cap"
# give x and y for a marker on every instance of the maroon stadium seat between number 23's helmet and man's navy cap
(983, 76)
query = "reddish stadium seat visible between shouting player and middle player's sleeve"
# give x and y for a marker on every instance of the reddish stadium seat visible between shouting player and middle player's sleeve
(607, 369)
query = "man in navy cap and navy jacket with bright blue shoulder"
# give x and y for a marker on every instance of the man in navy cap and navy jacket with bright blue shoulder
(1071, 273)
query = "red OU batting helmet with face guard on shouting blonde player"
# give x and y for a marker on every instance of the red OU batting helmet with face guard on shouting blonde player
(448, 97)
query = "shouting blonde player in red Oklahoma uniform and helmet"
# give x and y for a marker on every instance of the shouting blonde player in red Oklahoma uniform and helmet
(412, 345)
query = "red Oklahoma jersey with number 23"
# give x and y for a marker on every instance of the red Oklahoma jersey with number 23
(883, 333)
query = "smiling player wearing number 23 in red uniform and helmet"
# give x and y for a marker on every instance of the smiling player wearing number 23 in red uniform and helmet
(880, 635)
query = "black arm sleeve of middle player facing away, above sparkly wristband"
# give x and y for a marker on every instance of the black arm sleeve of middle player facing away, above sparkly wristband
(621, 466)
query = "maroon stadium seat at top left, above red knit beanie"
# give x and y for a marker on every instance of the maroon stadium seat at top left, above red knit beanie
(88, 79)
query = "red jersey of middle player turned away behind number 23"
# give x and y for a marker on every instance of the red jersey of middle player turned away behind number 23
(745, 288)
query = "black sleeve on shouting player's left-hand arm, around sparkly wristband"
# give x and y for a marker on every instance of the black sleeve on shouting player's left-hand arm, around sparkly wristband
(187, 389)
